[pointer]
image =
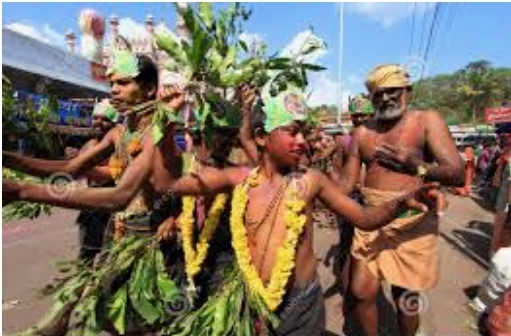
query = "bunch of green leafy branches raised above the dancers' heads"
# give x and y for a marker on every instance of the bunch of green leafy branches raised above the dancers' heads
(213, 61)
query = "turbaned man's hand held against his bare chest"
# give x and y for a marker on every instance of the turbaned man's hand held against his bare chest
(398, 159)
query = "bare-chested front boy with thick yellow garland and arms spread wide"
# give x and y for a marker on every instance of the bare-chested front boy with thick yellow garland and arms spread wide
(268, 224)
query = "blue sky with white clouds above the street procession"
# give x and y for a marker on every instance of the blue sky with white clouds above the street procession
(373, 33)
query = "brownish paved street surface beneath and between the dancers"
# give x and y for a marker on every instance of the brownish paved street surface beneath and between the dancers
(31, 248)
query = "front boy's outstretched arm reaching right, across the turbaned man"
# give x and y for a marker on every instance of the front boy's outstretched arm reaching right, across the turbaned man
(364, 218)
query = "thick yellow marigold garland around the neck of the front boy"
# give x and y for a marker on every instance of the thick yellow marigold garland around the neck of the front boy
(295, 221)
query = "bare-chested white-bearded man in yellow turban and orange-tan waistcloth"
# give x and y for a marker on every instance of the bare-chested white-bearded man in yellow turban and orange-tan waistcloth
(401, 149)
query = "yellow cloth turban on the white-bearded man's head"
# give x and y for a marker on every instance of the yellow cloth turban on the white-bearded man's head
(387, 76)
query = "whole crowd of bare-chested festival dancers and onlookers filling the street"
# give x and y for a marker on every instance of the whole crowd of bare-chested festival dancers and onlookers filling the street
(243, 197)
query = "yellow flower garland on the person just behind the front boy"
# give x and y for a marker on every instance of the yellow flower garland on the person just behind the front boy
(195, 256)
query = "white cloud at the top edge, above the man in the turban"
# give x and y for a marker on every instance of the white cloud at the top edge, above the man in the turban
(388, 13)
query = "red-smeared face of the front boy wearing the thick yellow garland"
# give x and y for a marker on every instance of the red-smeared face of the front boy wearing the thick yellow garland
(286, 144)
